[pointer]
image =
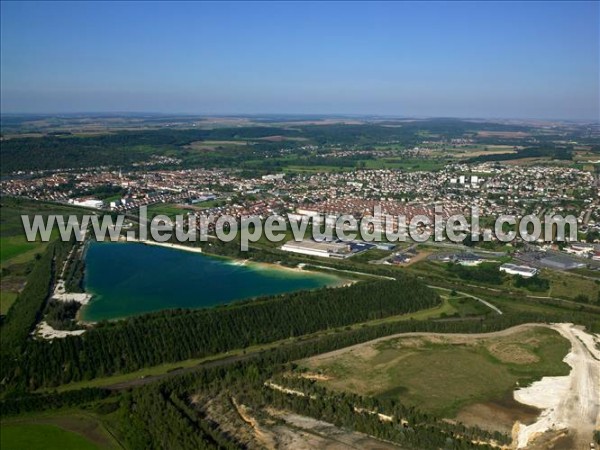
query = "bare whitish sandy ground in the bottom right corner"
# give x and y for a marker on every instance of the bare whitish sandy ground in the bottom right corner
(571, 402)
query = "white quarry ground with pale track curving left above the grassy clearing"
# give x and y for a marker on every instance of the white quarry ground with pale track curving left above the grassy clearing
(569, 405)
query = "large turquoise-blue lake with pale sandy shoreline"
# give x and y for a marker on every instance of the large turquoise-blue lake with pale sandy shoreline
(128, 279)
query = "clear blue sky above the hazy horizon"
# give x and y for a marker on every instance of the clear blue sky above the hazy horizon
(463, 59)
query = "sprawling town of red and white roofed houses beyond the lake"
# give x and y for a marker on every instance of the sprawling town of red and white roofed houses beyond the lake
(494, 189)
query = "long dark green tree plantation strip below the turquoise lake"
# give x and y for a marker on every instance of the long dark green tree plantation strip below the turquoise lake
(177, 335)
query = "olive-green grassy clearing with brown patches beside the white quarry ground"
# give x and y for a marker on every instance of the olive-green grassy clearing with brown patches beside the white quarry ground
(449, 375)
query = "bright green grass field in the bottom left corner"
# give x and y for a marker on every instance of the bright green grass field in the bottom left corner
(43, 437)
